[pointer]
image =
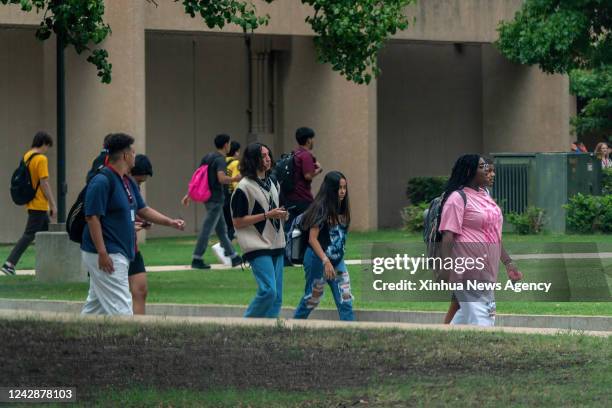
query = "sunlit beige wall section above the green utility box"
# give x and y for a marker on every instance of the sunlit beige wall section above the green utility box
(524, 110)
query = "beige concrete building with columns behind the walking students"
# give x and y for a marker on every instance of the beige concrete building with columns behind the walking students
(444, 91)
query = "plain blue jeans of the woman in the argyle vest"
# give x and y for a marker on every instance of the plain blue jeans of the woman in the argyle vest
(268, 272)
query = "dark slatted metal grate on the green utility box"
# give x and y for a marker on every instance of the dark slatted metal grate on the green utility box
(511, 186)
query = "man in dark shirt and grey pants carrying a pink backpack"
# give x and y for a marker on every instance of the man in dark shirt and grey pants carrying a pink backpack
(214, 219)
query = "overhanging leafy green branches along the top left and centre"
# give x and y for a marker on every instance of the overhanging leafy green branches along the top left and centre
(349, 33)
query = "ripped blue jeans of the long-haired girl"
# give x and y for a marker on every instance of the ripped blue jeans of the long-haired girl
(315, 286)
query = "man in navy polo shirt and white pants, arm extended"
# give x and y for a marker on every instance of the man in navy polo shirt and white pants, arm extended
(112, 202)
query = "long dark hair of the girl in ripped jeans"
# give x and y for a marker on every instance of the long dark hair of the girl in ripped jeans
(326, 204)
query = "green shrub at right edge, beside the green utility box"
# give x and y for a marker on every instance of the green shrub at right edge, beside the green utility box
(587, 213)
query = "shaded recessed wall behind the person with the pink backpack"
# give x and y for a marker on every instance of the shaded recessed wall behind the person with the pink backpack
(196, 88)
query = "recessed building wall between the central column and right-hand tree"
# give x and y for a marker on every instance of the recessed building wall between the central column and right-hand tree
(437, 101)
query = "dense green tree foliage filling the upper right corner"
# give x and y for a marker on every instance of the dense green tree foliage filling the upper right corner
(570, 37)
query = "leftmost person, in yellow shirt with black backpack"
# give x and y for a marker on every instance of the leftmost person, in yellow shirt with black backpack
(43, 203)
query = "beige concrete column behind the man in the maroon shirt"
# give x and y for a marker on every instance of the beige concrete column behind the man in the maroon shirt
(343, 116)
